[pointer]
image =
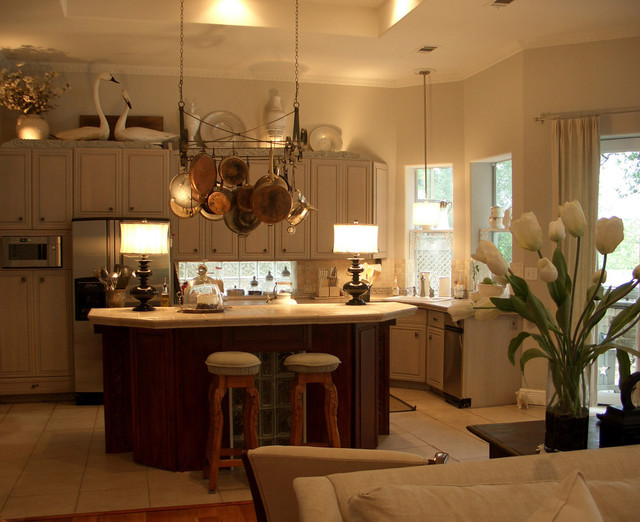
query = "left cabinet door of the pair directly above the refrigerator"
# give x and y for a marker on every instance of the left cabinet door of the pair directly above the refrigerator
(97, 182)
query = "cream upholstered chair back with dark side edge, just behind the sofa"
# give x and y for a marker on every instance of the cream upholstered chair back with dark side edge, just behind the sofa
(271, 470)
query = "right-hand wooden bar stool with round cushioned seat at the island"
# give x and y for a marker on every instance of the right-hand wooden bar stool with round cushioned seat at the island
(313, 368)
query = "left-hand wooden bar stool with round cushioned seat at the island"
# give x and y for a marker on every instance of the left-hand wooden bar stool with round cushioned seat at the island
(230, 370)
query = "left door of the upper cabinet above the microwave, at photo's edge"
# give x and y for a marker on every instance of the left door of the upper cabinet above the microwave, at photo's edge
(15, 195)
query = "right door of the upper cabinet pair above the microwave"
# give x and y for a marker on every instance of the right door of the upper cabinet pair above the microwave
(52, 182)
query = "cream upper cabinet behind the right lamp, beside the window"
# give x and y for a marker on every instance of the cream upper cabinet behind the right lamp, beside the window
(344, 191)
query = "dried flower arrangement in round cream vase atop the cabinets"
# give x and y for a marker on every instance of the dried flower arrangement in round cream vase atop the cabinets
(32, 96)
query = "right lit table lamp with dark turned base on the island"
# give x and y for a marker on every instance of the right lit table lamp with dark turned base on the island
(355, 239)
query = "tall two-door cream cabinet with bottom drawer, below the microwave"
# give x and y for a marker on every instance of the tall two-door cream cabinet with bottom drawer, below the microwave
(35, 333)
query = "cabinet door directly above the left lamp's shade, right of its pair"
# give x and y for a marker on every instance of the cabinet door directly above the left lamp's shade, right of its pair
(146, 183)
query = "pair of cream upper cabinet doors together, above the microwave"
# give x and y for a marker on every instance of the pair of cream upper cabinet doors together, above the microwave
(36, 189)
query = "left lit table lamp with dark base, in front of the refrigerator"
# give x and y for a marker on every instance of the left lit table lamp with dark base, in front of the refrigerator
(143, 239)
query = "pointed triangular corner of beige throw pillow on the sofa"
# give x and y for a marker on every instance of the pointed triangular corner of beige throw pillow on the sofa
(569, 502)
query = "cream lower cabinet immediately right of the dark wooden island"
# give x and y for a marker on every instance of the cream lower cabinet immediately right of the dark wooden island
(407, 348)
